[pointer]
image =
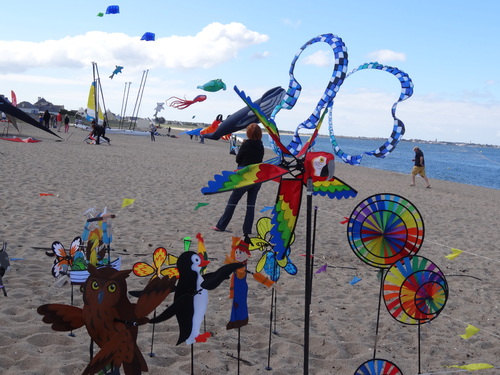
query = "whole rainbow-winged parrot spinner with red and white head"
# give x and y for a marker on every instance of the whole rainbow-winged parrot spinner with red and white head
(317, 167)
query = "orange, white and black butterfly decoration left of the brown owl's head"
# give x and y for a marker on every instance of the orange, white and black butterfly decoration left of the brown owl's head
(74, 259)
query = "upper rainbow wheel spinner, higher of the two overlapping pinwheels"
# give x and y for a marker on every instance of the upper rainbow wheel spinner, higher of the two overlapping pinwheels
(385, 228)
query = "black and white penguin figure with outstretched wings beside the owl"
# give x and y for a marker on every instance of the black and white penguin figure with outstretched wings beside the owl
(191, 294)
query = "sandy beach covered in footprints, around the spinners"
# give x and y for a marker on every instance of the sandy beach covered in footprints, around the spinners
(165, 178)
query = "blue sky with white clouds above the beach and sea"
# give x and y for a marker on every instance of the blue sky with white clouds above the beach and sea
(448, 48)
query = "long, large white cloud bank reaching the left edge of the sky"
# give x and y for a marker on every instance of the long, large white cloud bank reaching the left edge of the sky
(213, 45)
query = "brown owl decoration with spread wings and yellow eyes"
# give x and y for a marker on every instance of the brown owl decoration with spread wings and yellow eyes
(111, 320)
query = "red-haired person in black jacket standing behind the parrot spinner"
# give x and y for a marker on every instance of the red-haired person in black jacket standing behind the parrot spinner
(250, 152)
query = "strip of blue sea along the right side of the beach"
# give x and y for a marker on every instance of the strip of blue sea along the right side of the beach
(466, 164)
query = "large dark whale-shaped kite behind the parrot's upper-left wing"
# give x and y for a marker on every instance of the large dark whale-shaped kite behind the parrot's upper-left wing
(242, 118)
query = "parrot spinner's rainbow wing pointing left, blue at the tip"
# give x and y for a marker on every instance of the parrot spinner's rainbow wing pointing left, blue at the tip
(250, 175)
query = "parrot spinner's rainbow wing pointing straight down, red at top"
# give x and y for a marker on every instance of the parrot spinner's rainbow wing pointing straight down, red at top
(285, 214)
